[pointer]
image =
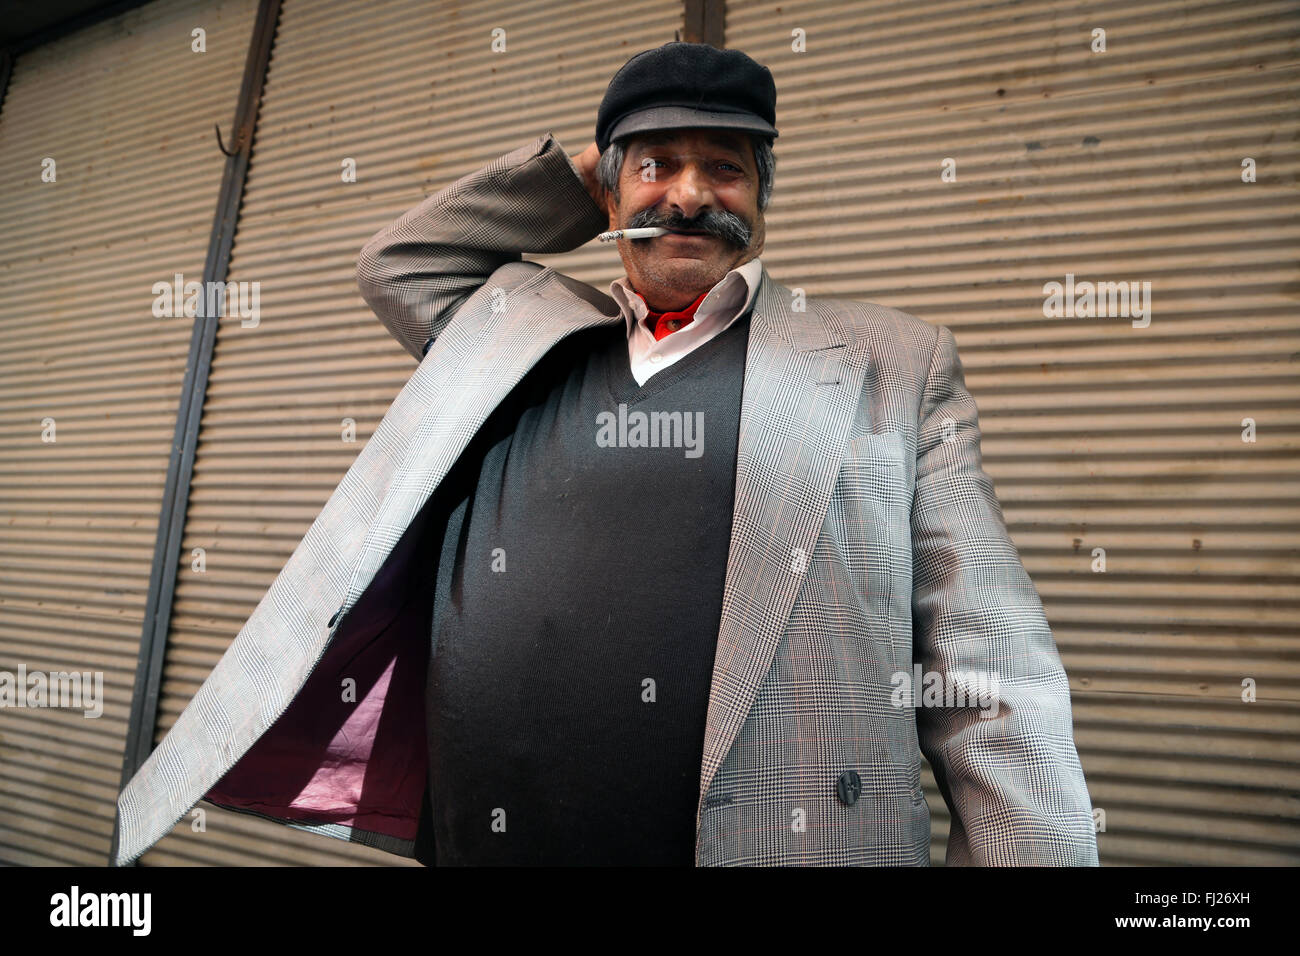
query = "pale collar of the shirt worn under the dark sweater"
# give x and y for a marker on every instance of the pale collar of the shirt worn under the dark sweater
(725, 304)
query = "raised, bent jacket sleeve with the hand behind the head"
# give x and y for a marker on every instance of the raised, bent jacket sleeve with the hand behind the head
(419, 271)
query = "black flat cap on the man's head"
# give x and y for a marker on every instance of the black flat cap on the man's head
(683, 85)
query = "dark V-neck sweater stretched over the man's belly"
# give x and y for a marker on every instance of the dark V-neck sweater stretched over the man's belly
(577, 609)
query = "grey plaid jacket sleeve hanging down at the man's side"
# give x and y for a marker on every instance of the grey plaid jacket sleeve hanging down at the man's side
(1012, 780)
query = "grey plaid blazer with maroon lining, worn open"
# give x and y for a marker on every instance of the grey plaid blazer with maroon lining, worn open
(868, 543)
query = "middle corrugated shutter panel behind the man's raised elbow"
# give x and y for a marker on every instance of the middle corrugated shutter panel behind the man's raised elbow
(414, 94)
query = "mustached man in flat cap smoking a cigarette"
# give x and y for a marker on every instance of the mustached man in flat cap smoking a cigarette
(679, 576)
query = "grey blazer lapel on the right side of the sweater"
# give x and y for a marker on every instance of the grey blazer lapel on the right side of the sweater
(803, 388)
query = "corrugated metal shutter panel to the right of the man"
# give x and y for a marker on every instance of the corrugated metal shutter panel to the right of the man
(1124, 166)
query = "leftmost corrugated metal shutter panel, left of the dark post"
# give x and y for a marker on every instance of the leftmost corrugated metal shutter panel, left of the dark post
(125, 110)
